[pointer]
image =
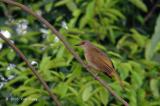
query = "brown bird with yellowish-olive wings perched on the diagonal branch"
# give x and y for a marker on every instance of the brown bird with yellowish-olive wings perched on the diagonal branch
(98, 60)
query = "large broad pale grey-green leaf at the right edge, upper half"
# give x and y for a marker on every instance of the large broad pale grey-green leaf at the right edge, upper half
(150, 49)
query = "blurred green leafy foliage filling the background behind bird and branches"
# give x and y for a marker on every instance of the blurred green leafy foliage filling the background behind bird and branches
(119, 27)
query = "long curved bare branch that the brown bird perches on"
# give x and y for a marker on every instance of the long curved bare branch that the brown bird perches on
(67, 45)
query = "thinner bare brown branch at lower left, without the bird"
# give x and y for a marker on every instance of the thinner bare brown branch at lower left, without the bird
(31, 67)
